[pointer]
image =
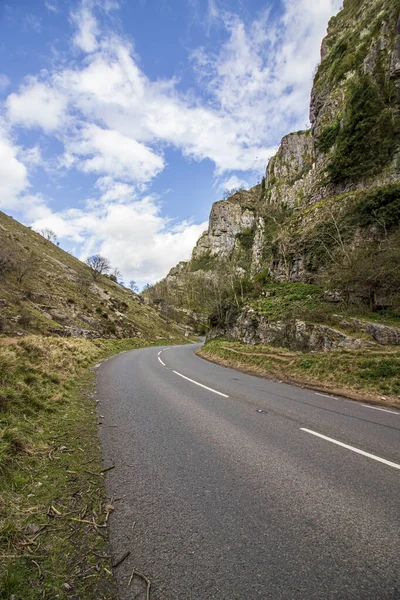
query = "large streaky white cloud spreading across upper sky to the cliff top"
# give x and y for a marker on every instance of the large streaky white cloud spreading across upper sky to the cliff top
(254, 90)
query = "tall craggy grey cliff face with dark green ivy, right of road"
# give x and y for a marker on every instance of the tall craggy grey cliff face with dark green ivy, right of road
(318, 173)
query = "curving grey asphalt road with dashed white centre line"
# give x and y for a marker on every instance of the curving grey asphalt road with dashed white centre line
(214, 499)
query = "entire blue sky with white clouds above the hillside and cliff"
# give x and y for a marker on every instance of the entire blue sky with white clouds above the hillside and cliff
(122, 121)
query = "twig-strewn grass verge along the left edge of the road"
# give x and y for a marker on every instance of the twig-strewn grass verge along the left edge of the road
(53, 511)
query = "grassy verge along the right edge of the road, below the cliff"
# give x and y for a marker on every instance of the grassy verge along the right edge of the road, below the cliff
(363, 375)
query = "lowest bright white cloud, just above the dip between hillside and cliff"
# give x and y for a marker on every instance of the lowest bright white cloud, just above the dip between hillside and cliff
(134, 236)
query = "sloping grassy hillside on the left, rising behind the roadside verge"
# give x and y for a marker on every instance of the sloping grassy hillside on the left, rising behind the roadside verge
(44, 289)
